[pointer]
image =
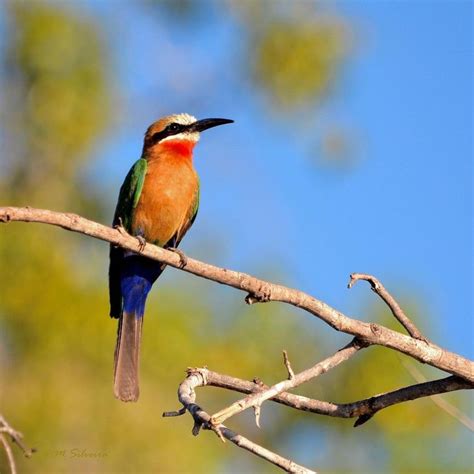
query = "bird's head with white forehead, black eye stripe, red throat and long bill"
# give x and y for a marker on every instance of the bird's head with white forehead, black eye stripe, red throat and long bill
(178, 133)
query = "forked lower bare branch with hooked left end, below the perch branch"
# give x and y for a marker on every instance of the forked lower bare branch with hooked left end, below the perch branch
(363, 410)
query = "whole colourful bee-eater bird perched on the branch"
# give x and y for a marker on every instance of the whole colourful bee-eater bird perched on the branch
(158, 202)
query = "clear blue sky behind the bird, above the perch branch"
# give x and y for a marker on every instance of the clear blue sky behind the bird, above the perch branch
(402, 213)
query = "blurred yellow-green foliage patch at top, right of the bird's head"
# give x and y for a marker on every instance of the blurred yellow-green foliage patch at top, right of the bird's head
(294, 51)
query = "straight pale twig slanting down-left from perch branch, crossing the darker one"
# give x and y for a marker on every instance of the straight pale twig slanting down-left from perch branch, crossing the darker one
(256, 399)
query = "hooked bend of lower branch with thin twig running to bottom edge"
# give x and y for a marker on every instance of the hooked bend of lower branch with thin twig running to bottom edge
(187, 396)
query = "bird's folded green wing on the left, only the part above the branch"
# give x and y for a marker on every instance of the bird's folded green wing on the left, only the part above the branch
(130, 193)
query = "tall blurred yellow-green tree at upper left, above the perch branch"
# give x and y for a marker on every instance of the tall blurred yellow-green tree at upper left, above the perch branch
(56, 102)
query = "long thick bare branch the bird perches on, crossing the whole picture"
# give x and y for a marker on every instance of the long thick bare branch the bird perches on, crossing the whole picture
(258, 290)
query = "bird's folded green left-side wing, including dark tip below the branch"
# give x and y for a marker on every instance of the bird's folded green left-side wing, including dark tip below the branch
(128, 199)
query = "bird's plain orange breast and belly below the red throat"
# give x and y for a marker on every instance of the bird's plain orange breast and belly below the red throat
(168, 193)
